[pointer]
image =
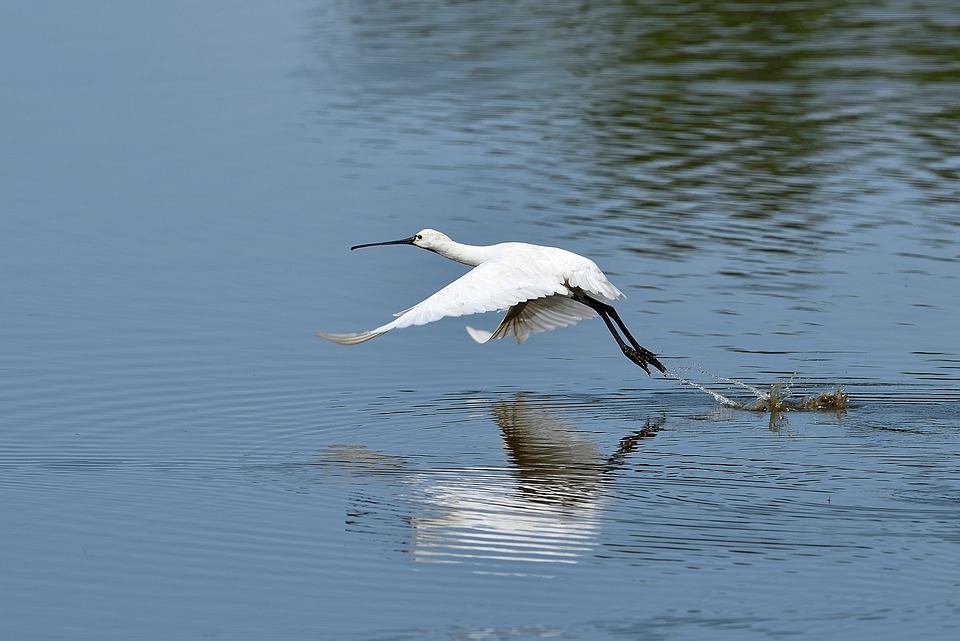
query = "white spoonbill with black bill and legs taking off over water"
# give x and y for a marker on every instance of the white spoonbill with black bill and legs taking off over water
(541, 288)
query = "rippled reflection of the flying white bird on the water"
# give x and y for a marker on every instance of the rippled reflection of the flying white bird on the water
(544, 507)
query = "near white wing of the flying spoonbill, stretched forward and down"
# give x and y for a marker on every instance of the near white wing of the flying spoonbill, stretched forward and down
(491, 286)
